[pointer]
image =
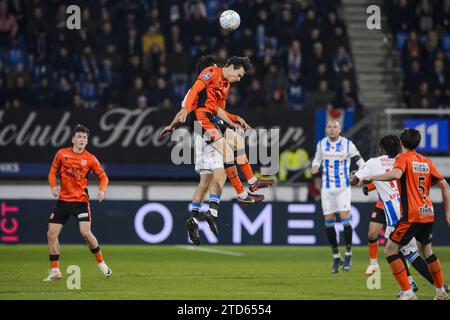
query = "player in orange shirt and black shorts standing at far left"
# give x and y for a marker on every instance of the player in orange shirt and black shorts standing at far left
(74, 164)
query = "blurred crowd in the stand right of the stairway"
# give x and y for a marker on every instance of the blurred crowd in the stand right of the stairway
(422, 35)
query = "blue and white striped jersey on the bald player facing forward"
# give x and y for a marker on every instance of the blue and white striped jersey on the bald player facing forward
(335, 158)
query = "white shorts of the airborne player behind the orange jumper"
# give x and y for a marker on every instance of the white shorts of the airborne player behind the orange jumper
(207, 158)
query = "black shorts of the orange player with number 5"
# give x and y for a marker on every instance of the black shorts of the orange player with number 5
(405, 231)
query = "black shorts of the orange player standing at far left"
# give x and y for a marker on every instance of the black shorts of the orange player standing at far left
(64, 210)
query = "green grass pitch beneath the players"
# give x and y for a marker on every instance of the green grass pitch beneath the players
(182, 272)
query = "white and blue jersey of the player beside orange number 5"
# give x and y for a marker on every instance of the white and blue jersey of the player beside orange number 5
(387, 190)
